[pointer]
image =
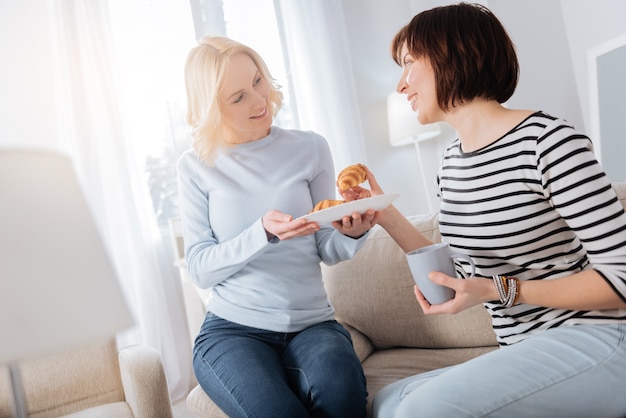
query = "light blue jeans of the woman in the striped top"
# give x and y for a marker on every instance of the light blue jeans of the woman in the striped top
(570, 371)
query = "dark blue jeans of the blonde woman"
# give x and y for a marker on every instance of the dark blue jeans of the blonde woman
(250, 372)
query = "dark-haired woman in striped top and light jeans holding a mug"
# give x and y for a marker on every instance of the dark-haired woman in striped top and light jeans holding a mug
(522, 193)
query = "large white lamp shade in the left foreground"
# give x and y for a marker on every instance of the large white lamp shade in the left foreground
(58, 288)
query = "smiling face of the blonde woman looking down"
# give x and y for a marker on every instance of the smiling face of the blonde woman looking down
(244, 100)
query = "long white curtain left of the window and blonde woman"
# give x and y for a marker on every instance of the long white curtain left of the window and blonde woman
(93, 131)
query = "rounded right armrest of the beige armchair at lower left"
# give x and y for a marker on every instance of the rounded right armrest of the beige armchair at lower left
(144, 382)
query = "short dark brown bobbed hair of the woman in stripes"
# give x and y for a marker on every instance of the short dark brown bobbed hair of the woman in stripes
(470, 52)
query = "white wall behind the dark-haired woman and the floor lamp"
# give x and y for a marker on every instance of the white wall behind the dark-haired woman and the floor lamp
(552, 39)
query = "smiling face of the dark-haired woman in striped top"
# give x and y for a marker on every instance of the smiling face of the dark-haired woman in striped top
(418, 83)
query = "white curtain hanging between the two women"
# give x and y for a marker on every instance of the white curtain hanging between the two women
(322, 80)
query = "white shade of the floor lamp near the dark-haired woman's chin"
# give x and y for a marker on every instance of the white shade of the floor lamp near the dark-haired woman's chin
(404, 129)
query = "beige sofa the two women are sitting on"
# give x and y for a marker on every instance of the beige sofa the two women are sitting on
(373, 297)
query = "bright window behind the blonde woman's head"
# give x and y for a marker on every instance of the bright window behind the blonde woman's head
(152, 39)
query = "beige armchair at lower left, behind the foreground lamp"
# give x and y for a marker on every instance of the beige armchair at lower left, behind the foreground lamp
(94, 381)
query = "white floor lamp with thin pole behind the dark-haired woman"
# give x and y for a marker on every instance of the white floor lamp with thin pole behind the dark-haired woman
(404, 129)
